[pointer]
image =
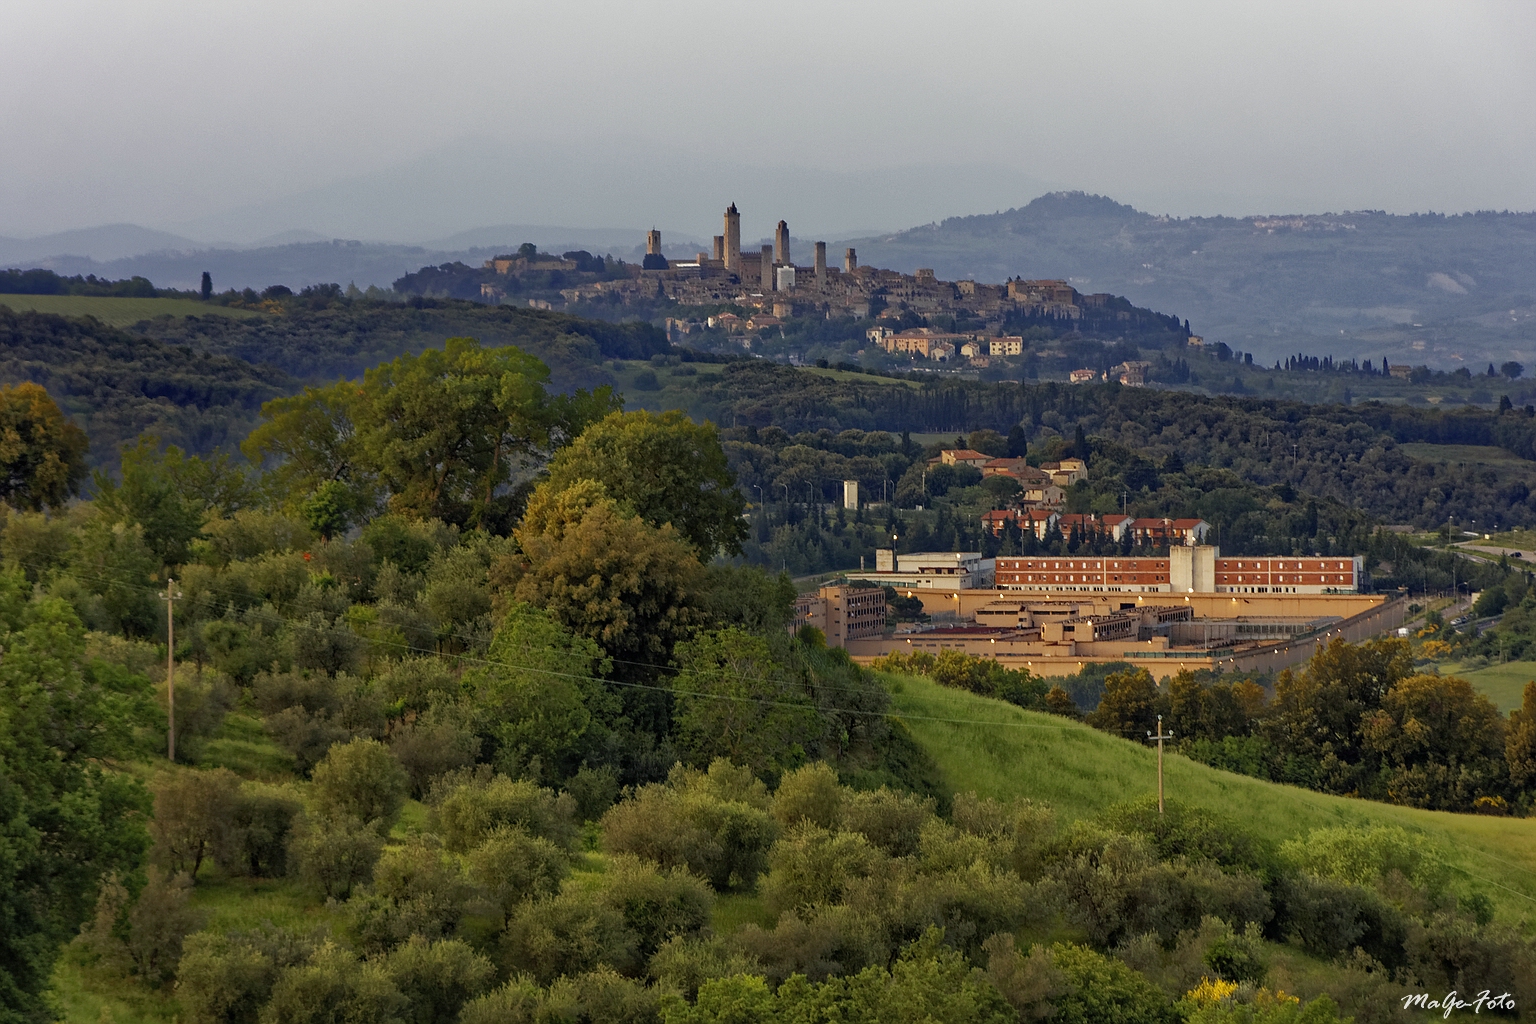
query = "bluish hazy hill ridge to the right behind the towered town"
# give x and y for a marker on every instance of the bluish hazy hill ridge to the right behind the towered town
(1270, 285)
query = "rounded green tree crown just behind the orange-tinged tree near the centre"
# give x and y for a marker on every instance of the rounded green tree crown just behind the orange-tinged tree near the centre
(666, 469)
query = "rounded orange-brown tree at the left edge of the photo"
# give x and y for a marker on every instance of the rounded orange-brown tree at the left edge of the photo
(42, 454)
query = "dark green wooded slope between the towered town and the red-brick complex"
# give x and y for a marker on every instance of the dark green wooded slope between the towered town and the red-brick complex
(1346, 457)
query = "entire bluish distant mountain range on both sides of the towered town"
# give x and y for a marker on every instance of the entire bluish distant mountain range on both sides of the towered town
(1445, 291)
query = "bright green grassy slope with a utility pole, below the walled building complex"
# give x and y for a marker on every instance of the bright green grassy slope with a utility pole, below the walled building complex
(1001, 751)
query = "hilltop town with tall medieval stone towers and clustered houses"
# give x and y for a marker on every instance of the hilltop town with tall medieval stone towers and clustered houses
(747, 296)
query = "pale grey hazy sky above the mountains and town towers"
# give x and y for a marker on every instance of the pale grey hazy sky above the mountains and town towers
(228, 119)
